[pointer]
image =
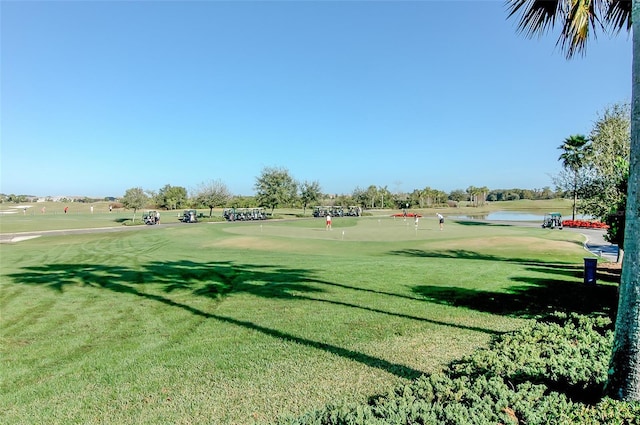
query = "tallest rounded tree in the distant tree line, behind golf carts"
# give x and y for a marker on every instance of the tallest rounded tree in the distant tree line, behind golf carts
(274, 187)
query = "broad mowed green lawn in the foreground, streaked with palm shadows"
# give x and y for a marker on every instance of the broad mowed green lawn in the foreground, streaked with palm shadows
(235, 323)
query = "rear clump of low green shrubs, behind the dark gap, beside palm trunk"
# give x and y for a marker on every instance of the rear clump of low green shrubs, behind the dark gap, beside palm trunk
(567, 354)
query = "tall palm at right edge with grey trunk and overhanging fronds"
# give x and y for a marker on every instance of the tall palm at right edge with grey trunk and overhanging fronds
(579, 20)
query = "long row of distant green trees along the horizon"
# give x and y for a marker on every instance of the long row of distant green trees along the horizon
(277, 188)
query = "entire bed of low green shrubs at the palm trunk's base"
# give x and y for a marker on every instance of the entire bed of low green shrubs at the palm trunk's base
(539, 375)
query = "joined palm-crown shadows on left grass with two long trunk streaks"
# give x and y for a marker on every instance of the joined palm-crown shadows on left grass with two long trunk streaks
(214, 280)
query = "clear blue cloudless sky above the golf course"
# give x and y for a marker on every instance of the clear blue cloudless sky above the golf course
(99, 97)
